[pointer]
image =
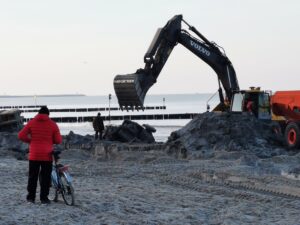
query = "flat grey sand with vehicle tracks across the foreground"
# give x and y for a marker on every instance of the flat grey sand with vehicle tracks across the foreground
(152, 187)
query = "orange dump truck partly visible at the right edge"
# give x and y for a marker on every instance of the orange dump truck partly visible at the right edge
(286, 111)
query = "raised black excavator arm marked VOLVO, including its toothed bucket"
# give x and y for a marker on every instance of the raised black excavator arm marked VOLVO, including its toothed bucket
(131, 89)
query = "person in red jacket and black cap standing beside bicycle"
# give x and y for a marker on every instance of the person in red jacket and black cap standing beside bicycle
(41, 133)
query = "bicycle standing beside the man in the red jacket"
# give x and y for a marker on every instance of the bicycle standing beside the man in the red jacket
(61, 182)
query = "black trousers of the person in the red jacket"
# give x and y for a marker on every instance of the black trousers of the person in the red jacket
(39, 170)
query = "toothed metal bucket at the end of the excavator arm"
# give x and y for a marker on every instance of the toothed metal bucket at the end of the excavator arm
(131, 90)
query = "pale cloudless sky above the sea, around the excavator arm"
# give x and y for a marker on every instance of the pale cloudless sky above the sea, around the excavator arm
(78, 46)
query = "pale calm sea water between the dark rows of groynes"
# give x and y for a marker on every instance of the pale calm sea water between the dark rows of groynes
(175, 104)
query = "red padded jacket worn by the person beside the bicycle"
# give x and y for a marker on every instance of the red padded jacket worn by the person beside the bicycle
(41, 133)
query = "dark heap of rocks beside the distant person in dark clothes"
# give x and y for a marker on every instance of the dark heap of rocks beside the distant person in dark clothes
(130, 132)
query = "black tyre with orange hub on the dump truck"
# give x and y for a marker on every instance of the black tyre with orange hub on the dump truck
(292, 135)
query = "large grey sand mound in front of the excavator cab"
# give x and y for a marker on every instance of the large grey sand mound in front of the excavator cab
(209, 133)
